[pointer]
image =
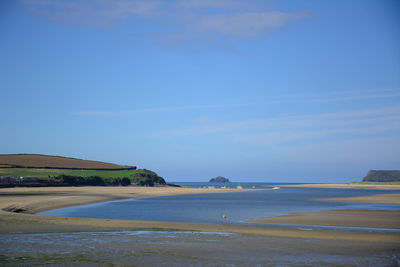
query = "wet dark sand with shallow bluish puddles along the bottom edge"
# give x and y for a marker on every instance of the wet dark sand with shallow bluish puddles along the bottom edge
(175, 248)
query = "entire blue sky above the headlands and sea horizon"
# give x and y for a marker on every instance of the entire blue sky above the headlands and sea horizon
(272, 91)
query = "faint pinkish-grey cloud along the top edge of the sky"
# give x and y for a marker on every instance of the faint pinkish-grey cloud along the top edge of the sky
(179, 21)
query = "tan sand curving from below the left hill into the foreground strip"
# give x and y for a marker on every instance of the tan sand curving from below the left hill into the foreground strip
(31, 201)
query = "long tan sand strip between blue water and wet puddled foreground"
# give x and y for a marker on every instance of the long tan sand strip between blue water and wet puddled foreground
(29, 223)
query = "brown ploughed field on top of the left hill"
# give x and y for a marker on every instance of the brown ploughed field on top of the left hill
(36, 160)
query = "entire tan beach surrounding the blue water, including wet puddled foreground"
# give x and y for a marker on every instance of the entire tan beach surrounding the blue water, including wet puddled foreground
(182, 244)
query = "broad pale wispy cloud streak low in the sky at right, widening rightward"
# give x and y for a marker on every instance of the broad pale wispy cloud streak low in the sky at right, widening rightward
(299, 126)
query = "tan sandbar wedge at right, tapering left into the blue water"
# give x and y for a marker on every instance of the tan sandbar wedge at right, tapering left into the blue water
(389, 219)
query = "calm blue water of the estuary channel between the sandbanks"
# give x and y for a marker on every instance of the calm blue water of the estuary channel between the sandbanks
(209, 208)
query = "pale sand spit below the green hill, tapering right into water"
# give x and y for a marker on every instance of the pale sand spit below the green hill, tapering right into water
(33, 200)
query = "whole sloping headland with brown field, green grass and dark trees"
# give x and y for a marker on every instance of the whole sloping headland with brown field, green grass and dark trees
(58, 171)
